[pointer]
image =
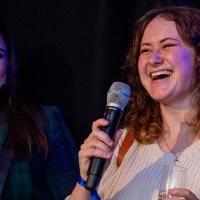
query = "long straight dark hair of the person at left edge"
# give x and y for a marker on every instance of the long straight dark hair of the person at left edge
(24, 131)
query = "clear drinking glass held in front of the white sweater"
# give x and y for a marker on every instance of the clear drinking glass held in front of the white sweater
(172, 177)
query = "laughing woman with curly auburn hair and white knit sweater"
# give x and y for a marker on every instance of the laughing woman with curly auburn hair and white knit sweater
(163, 115)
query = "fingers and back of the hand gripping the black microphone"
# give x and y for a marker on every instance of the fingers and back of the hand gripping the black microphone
(98, 144)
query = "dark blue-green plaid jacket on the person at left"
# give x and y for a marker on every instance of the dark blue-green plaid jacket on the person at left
(40, 178)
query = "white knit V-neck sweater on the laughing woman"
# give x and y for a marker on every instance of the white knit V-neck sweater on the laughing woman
(139, 175)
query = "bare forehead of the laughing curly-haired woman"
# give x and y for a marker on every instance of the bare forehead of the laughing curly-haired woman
(160, 28)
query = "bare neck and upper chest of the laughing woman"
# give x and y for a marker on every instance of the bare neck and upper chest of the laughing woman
(177, 133)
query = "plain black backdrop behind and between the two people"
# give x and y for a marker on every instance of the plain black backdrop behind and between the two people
(70, 51)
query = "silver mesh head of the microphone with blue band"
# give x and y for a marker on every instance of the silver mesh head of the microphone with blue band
(118, 95)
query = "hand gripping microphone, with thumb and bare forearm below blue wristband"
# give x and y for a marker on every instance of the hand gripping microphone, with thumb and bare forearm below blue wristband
(98, 144)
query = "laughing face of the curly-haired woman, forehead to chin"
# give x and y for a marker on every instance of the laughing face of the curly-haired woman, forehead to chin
(166, 51)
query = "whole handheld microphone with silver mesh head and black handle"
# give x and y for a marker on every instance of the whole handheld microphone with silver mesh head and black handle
(117, 97)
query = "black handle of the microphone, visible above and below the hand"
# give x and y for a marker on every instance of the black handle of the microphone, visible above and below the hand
(113, 115)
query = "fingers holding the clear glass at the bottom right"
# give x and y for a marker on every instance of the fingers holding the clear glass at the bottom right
(183, 193)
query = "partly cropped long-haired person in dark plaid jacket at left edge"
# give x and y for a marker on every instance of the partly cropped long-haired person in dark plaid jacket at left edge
(38, 156)
